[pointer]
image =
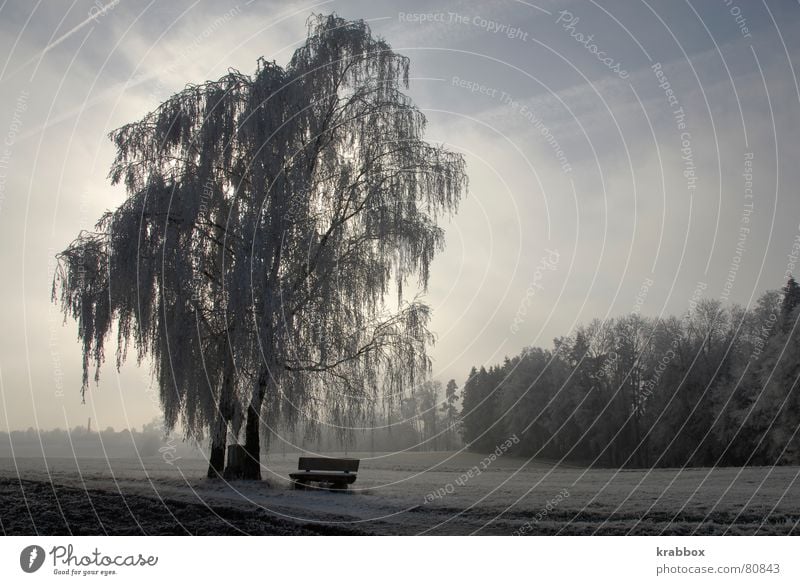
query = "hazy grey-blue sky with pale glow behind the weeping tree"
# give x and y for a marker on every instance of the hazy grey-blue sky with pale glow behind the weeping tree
(593, 191)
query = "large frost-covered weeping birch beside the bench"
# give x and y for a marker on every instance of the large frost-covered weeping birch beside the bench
(268, 219)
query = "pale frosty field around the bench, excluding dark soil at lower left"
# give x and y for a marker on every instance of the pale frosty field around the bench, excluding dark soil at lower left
(463, 493)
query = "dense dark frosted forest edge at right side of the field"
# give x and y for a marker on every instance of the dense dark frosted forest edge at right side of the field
(715, 387)
